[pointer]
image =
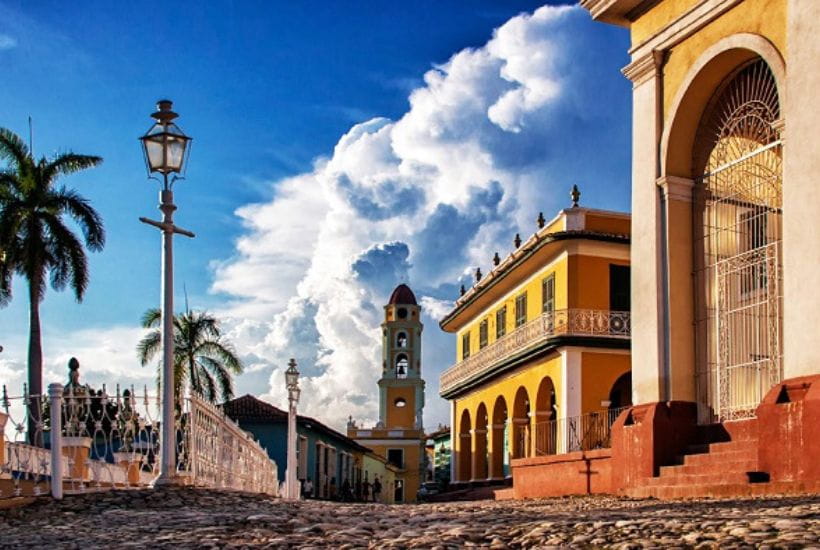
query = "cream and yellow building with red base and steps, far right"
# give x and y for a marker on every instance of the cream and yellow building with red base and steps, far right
(726, 245)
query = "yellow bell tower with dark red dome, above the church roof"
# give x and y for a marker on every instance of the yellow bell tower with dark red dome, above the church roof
(401, 388)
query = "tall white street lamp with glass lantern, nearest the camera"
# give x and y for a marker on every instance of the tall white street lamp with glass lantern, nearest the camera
(166, 150)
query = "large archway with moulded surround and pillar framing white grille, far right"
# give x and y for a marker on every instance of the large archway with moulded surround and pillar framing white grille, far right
(723, 143)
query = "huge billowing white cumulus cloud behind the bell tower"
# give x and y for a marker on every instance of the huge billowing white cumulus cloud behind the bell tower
(422, 200)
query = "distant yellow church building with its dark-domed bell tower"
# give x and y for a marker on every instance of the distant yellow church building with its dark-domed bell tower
(399, 435)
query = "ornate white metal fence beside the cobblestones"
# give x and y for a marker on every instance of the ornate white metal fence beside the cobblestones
(107, 441)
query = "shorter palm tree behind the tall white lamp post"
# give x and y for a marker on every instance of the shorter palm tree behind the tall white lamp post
(202, 358)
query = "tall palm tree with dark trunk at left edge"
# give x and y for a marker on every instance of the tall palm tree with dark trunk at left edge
(35, 242)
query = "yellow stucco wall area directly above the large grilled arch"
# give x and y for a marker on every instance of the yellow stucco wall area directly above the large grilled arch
(766, 18)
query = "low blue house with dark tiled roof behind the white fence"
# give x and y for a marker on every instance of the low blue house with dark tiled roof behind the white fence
(324, 455)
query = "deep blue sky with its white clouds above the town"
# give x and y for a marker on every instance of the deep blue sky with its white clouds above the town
(339, 148)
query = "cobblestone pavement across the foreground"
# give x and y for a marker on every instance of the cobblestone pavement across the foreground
(186, 518)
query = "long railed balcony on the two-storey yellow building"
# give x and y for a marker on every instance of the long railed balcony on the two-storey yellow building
(564, 322)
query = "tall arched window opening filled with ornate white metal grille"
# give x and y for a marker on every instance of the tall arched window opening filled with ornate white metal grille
(738, 253)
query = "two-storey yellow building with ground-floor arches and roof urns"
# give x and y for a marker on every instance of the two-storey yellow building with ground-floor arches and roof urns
(542, 347)
